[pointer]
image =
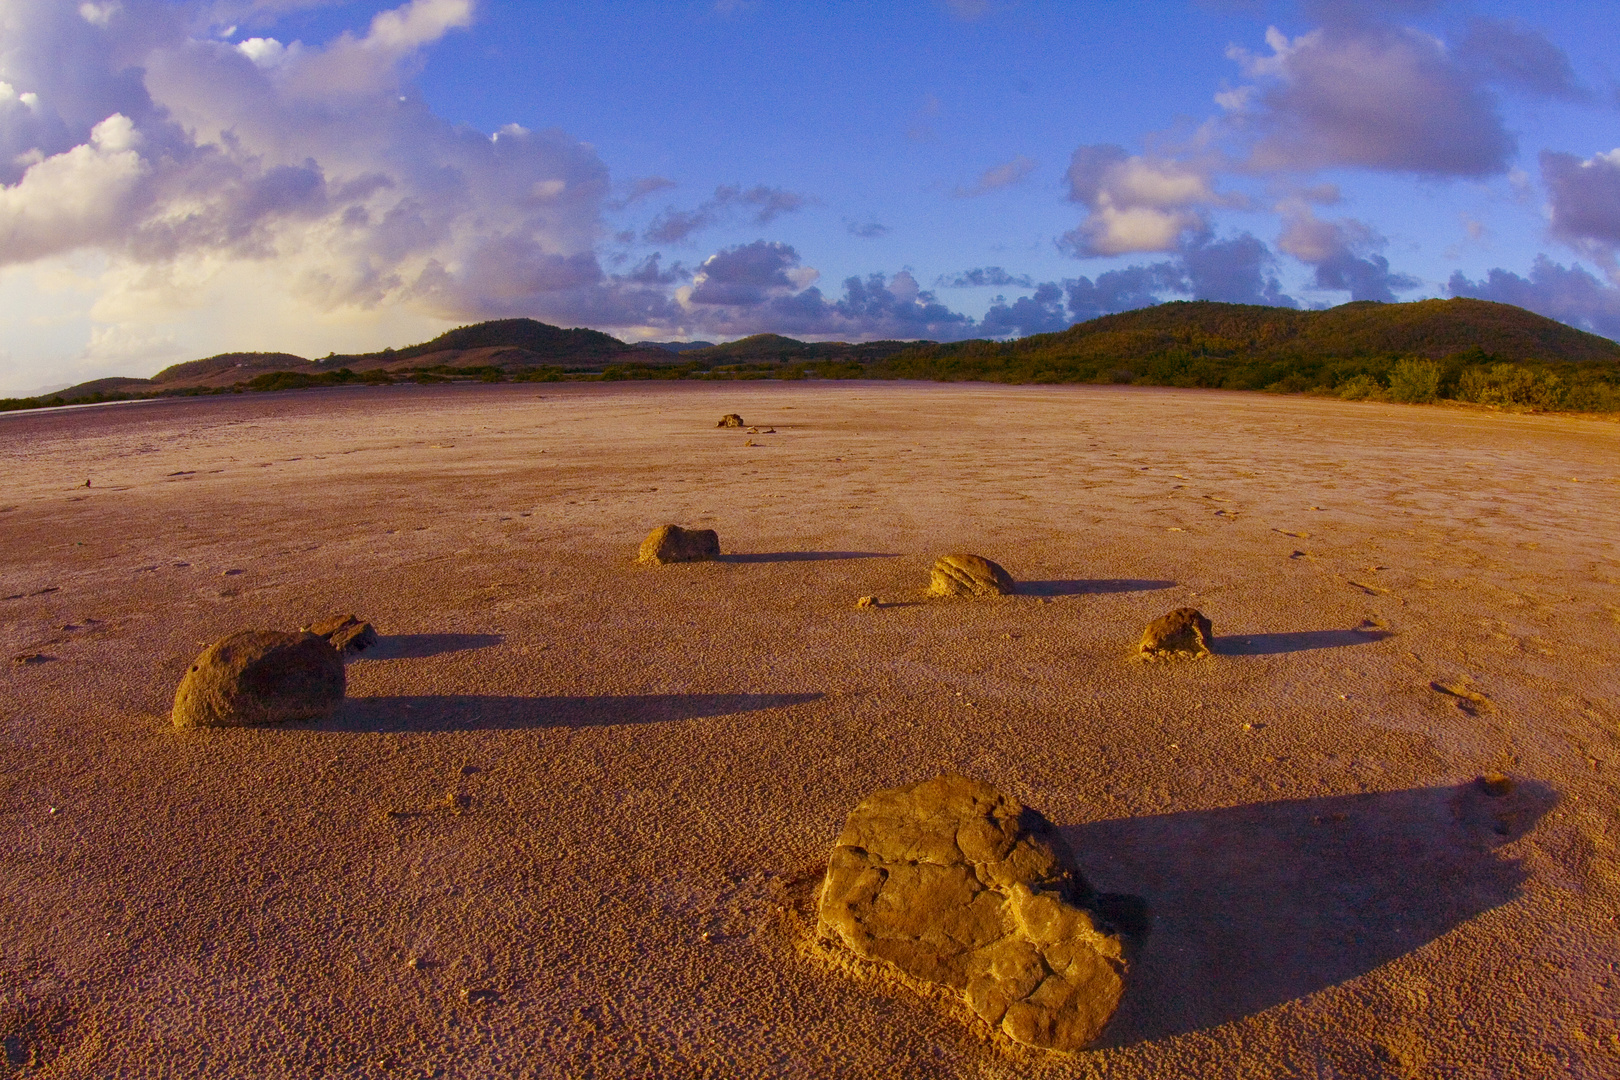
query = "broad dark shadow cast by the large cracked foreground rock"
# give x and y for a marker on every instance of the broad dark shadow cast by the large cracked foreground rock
(1256, 906)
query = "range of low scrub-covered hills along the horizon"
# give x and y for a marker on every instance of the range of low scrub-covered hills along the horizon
(1185, 344)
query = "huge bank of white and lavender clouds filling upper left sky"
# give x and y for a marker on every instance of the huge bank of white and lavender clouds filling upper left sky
(181, 161)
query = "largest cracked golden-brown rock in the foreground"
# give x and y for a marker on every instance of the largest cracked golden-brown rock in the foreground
(961, 887)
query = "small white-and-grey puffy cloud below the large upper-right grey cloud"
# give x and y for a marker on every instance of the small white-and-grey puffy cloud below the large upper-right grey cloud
(1136, 203)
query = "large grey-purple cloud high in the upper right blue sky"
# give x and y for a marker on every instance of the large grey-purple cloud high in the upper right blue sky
(1368, 96)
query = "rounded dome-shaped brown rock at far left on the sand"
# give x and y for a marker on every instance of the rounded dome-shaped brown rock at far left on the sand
(262, 678)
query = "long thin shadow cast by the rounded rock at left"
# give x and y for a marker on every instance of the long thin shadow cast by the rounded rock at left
(482, 713)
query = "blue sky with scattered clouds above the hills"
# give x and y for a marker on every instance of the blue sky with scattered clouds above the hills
(189, 177)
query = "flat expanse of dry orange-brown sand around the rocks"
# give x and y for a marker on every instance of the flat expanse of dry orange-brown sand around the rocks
(571, 817)
